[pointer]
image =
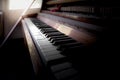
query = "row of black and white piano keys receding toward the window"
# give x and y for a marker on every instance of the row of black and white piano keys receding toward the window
(54, 48)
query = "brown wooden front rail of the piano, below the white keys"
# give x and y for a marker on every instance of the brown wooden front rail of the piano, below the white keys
(32, 50)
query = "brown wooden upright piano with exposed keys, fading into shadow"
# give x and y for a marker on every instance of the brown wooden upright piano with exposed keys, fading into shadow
(62, 39)
